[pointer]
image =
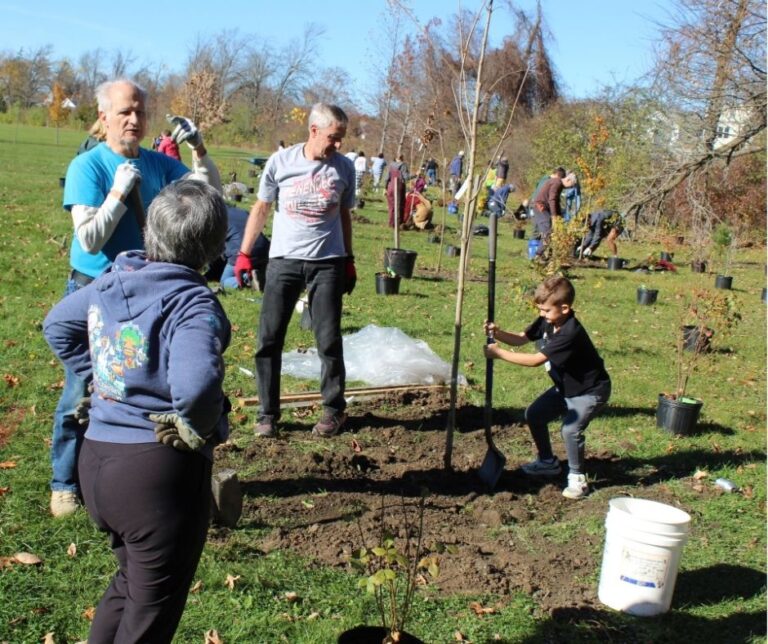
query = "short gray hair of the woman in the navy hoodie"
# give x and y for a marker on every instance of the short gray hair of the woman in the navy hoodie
(186, 224)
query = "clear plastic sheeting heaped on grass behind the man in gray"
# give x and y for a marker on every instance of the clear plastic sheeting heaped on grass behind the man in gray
(380, 357)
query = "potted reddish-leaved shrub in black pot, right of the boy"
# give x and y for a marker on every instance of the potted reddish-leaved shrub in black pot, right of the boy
(677, 412)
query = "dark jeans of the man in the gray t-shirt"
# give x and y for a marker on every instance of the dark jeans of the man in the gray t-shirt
(286, 279)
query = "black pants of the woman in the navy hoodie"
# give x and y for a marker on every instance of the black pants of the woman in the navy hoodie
(153, 501)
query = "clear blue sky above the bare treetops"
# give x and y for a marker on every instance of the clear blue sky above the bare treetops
(595, 42)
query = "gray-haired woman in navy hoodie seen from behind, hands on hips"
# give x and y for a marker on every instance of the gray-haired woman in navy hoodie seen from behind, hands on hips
(152, 335)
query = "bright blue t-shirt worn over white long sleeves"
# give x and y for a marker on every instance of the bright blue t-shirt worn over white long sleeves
(89, 180)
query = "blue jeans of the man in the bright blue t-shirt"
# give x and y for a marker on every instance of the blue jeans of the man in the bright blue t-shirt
(67, 432)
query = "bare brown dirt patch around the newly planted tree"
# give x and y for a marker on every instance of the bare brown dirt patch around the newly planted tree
(317, 498)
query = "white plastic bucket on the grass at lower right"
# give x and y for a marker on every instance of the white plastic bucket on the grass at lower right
(643, 543)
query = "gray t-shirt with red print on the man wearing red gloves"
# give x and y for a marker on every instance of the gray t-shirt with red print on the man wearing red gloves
(309, 195)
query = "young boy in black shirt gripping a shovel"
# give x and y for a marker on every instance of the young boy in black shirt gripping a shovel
(582, 385)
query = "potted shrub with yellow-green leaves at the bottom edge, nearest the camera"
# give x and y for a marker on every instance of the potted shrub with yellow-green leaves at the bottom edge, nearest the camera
(392, 570)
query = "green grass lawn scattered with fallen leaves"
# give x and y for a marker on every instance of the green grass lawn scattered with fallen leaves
(725, 556)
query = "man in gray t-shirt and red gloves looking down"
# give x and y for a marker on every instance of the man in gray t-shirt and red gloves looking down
(314, 187)
